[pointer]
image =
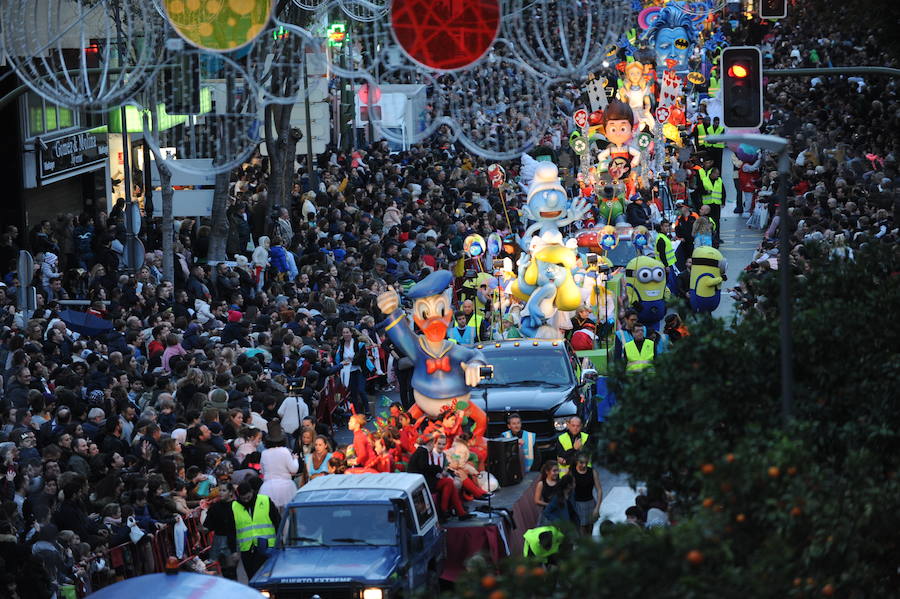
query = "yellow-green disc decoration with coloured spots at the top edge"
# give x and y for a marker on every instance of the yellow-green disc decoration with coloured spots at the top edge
(218, 25)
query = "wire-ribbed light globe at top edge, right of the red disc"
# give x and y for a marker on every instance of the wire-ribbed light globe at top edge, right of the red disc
(565, 38)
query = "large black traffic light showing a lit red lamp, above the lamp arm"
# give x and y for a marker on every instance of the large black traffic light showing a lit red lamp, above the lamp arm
(741, 87)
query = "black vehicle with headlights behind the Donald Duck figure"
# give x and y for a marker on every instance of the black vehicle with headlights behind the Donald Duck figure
(541, 381)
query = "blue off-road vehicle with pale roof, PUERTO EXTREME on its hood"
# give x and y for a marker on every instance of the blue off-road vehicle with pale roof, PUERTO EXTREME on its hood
(369, 536)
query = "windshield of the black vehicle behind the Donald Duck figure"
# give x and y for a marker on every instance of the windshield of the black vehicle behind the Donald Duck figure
(528, 367)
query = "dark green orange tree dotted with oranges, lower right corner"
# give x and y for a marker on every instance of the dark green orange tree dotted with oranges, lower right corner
(762, 508)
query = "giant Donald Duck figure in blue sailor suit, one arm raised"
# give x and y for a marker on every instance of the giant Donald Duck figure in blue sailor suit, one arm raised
(443, 371)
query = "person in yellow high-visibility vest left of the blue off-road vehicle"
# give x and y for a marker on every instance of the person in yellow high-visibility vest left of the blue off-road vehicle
(256, 519)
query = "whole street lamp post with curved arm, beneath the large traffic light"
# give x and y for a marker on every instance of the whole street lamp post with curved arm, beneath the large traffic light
(778, 145)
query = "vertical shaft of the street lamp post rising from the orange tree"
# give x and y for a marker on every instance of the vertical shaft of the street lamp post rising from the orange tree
(784, 298)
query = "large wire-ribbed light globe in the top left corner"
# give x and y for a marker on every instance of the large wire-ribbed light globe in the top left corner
(41, 41)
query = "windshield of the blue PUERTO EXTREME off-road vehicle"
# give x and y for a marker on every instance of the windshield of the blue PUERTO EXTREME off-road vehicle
(341, 525)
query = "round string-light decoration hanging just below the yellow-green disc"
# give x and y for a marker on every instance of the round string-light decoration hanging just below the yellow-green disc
(211, 120)
